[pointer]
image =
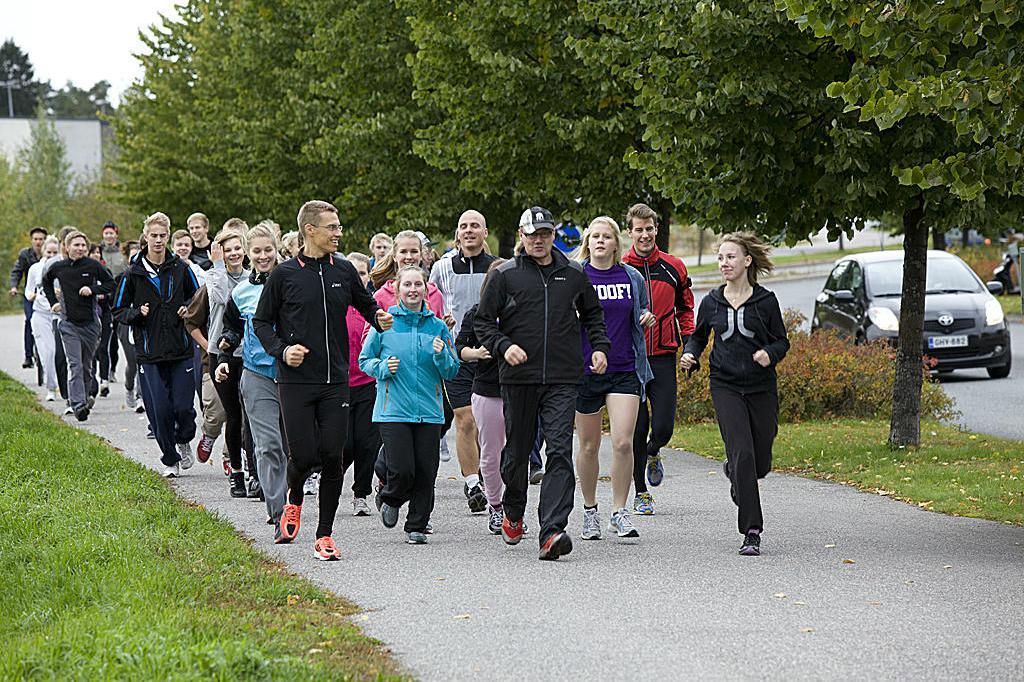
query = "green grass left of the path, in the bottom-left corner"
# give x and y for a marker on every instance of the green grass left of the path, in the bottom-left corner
(108, 574)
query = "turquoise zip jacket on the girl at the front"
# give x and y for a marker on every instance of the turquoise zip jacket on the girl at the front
(416, 393)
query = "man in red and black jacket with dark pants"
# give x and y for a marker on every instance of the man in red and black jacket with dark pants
(672, 304)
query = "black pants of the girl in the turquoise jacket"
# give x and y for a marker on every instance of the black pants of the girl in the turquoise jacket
(413, 456)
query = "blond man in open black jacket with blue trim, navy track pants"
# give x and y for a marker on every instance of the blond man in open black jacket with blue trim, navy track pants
(152, 300)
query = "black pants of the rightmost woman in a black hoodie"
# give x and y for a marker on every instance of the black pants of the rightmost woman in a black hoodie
(749, 424)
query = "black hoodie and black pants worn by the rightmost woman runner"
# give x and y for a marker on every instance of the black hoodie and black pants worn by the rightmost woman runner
(745, 394)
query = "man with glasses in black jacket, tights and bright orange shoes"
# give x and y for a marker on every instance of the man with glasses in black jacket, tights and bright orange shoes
(301, 321)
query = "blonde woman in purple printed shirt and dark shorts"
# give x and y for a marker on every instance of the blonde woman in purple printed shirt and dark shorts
(624, 299)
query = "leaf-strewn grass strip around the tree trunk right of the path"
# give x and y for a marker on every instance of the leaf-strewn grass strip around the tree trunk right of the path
(955, 473)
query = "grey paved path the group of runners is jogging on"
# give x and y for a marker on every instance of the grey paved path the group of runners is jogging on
(923, 595)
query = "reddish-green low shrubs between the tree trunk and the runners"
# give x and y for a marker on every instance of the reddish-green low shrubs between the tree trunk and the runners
(823, 377)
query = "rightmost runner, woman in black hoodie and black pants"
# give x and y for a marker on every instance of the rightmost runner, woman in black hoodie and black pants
(750, 342)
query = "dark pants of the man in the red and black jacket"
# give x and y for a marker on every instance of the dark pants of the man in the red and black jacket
(659, 422)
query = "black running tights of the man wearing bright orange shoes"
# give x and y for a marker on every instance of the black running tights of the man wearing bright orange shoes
(316, 422)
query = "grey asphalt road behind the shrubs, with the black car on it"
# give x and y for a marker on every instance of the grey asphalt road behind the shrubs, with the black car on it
(986, 406)
